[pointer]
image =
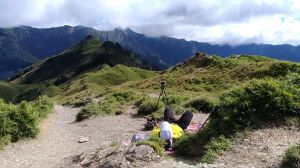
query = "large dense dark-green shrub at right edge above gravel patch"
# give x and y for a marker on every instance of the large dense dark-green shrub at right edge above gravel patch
(258, 102)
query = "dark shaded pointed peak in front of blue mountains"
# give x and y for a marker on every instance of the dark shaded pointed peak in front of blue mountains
(87, 55)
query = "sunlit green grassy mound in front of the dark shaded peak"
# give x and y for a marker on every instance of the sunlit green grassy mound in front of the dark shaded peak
(100, 82)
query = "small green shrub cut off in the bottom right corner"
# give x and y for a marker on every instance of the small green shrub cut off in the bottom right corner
(292, 157)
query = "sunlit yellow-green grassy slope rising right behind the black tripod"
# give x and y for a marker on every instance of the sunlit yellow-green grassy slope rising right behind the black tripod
(209, 76)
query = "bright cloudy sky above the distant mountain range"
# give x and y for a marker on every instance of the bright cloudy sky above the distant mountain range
(215, 21)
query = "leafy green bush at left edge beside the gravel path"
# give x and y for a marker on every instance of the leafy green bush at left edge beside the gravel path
(21, 121)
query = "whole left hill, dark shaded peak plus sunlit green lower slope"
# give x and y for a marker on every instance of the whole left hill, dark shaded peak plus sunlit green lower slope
(88, 67)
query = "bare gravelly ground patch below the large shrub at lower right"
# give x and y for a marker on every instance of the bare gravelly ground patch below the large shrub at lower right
(262, 148)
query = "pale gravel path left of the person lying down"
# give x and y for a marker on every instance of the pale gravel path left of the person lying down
(59, 138)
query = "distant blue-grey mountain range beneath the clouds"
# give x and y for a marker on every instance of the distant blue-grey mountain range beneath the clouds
(23, 46)
